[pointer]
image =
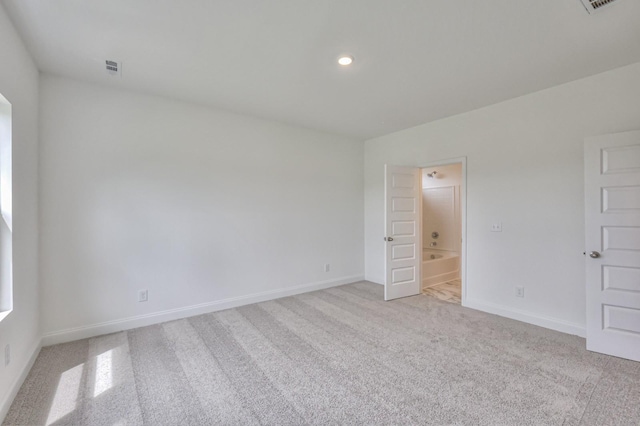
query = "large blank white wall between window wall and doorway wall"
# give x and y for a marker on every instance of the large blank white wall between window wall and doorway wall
(196, 205)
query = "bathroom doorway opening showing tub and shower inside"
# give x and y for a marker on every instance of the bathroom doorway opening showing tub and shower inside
(443, 196)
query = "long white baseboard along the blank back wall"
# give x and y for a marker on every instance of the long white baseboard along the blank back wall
(71, 334)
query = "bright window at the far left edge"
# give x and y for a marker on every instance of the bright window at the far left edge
(6, 200)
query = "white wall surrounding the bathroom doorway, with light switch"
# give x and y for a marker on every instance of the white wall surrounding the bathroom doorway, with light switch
(525, 169)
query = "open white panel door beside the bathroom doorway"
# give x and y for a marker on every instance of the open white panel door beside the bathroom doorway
(403, 253)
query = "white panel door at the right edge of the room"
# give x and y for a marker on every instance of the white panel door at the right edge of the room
(612, 213)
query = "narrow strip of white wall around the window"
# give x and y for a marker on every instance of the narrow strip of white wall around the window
(20, 329)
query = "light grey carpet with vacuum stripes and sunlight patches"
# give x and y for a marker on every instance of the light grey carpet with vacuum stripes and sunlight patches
(337, 356)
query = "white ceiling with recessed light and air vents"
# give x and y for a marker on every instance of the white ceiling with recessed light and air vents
(415, 60)
